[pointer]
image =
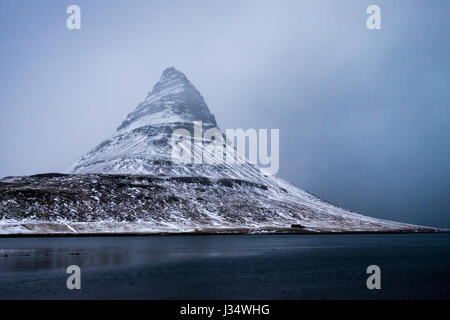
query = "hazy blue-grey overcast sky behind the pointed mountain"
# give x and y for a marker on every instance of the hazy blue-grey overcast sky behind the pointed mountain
(363, 115)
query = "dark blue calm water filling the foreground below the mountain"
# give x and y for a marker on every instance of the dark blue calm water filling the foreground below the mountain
(415, 266)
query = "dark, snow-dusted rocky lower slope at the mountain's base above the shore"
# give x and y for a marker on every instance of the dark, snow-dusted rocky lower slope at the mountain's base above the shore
(94, 203)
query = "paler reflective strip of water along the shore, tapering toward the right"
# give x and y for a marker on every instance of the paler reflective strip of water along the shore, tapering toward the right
(33, 254)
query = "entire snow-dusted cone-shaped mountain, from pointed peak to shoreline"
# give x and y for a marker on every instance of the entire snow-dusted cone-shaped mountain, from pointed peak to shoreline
(131, 184)
